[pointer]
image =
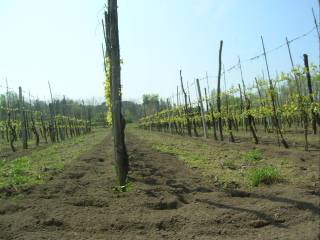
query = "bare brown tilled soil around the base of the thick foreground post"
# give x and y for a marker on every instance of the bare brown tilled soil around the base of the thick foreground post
(168, 201)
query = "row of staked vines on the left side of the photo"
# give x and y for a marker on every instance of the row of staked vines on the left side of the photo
(23, 122)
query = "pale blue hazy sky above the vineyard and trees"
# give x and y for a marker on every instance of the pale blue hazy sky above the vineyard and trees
(60, 41)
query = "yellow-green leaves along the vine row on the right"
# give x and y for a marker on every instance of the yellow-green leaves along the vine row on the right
(284, 91)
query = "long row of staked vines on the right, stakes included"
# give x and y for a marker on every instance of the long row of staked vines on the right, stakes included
(289, 103)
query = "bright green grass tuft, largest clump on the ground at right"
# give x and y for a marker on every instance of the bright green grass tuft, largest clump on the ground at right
(267, 175)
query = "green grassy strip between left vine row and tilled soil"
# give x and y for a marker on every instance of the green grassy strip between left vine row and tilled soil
(23, 169)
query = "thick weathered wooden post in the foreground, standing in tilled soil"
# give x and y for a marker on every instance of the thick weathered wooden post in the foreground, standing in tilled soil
(118, 122)
